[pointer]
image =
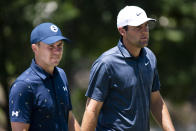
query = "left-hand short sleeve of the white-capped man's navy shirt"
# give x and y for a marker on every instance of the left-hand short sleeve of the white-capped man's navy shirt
(99, 82)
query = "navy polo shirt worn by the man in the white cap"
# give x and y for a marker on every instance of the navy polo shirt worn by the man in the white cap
(124, 84)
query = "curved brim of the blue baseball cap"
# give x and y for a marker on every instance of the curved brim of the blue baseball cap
(53, 39)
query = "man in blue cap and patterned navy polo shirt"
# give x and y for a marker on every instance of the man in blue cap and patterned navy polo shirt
(39, 98)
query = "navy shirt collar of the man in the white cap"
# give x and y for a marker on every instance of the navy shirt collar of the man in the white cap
(126, 53)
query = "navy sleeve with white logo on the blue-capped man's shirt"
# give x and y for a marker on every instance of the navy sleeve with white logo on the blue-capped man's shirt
(20, 102)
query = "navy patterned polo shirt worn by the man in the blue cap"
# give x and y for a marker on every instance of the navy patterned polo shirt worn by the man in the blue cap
(41, 100)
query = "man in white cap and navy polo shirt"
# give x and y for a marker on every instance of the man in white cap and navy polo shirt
(124, 84)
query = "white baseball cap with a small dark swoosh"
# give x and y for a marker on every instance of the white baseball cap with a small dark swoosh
(133, 16)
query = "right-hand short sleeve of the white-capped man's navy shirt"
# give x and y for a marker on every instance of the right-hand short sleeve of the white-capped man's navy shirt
(156, 81)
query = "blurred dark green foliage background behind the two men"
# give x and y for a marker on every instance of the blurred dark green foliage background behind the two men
(91, 25)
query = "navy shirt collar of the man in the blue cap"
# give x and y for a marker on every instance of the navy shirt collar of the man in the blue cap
(39, 71)
